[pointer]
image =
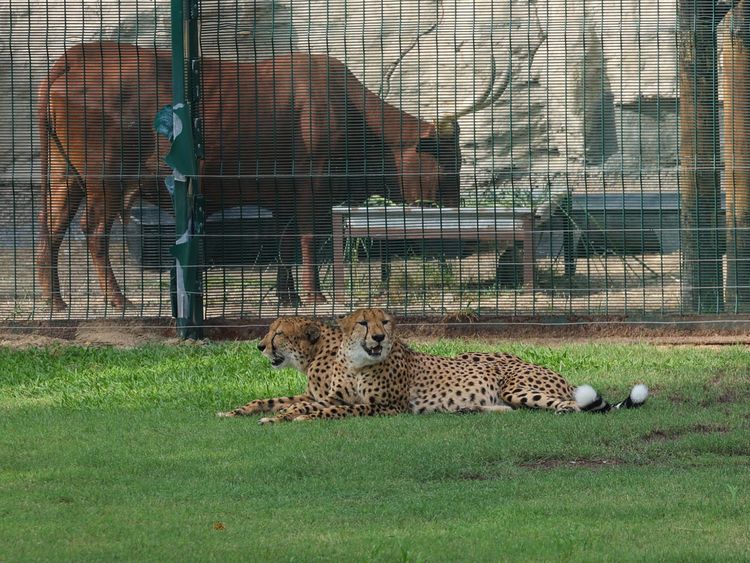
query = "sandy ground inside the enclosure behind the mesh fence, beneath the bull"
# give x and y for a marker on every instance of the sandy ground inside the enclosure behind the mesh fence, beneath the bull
(601, 286)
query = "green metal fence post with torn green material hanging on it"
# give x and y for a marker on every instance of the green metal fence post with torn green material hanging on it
(188, 293)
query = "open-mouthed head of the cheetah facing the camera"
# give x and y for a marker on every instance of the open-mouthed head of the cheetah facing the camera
(367, 336)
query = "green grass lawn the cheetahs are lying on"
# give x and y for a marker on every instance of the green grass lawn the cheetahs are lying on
(115, 454)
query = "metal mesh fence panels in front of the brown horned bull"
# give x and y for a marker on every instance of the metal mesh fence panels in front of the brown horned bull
(542, 158)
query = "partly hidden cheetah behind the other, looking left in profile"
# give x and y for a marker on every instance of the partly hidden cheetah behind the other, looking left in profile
(305, 344)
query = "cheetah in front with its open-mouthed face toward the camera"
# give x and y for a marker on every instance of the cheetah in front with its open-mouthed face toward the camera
(375, 373)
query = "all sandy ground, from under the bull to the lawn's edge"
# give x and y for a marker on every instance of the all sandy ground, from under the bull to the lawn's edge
(600, 302)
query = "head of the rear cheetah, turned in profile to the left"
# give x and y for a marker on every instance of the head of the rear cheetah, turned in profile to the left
(290, 342)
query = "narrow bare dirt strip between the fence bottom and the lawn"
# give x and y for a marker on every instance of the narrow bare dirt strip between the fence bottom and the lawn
(131, 331)
